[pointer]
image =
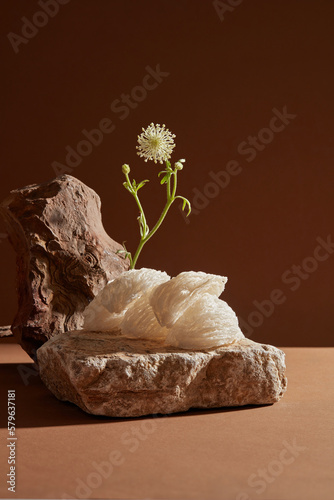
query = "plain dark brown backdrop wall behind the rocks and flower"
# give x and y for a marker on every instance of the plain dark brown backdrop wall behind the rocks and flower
(225, 77)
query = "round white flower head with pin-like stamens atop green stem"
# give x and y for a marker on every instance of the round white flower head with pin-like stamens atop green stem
(156, 143)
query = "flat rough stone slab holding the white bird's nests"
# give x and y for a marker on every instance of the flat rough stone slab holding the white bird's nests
(118, 377)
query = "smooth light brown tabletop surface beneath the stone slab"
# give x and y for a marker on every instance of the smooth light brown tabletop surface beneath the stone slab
(278, 452)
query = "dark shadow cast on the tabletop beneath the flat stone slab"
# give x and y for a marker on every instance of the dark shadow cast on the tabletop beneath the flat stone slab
(36, 406)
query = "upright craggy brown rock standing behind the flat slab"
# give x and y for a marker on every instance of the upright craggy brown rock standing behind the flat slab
(64, 256)
